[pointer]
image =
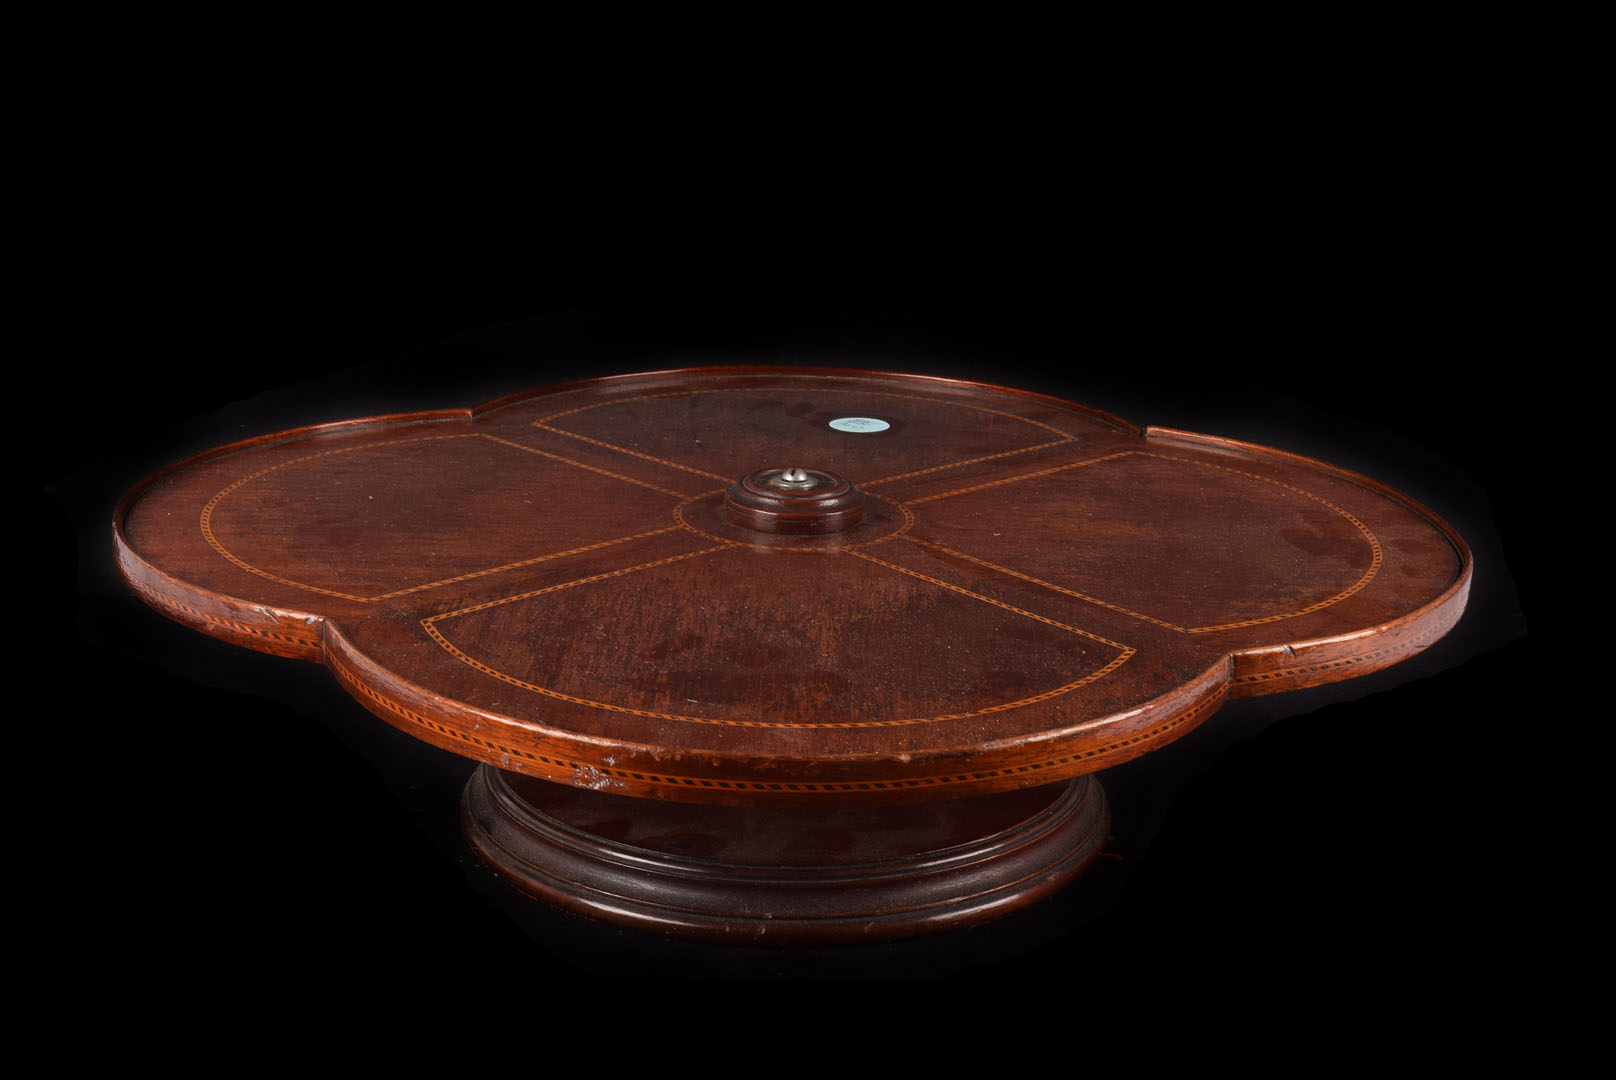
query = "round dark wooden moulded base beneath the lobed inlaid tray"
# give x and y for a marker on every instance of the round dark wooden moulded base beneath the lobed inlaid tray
(785, 877)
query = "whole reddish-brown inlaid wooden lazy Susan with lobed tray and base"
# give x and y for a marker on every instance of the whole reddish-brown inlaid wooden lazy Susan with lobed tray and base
(796, 656)
